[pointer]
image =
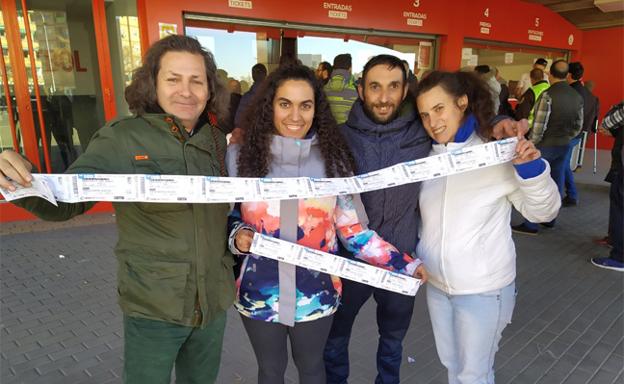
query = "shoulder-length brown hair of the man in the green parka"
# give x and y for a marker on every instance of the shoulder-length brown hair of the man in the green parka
(141, 93)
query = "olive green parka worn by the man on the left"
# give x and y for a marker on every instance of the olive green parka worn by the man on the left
(173, 260)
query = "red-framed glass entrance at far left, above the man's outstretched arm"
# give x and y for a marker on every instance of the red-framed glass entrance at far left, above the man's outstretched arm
(58, 93)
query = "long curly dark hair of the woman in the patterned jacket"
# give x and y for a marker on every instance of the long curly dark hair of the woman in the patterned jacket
(254, 158)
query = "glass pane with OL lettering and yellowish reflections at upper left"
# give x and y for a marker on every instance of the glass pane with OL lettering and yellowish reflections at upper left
(67, 76)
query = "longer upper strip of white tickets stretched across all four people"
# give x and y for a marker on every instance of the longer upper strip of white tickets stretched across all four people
(73, 188)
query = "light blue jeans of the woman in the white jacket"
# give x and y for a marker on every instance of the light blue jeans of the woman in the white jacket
(467, 330)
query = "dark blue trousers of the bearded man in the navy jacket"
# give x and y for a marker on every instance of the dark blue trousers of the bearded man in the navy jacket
(394, 314)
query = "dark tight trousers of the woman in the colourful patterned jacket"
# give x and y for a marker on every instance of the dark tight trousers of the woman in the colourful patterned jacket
(307, 341)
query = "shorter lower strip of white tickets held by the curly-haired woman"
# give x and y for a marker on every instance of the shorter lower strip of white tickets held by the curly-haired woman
(316, 260)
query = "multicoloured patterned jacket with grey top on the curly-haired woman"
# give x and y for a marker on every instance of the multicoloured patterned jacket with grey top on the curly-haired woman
(321, 221)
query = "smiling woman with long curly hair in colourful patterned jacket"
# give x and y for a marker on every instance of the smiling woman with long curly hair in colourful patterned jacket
(291, 133)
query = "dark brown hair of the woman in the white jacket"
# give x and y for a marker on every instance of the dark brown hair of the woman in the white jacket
(470, 84)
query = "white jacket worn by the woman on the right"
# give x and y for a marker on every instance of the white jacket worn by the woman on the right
(465, 236)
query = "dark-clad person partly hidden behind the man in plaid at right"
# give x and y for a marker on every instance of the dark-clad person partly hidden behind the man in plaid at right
(590, 114)
